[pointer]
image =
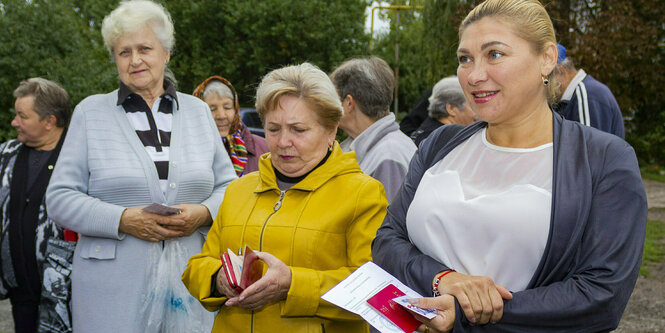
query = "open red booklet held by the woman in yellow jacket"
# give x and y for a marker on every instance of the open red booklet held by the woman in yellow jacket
(241, 272)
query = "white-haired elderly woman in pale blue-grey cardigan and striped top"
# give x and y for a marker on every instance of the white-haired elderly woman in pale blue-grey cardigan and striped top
(143, 143)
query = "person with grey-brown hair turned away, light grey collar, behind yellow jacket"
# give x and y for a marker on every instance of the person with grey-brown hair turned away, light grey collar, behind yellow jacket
(365, 86)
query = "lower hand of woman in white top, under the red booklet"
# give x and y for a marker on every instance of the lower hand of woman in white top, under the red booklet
(445, 316)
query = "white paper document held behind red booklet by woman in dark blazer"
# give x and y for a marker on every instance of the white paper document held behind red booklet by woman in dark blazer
(353, 292)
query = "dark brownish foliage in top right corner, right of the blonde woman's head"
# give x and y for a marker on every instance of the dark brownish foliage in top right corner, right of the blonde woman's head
(617, 41)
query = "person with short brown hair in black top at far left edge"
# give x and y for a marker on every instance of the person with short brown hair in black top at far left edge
(26, 163)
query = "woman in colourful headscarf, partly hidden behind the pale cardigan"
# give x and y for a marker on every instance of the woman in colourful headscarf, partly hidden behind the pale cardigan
(244, 148)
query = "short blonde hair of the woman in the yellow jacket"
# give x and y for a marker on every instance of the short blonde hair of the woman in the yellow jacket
(305, 81)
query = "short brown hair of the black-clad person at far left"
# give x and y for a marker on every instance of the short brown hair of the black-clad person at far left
(50, 99)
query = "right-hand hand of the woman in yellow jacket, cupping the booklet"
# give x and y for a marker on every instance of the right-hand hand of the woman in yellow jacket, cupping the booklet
(272, 287)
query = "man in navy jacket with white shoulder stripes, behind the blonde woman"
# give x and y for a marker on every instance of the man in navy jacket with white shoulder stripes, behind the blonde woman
(584, 99)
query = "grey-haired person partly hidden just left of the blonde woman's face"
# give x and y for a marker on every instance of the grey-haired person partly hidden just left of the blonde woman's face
(447, 105)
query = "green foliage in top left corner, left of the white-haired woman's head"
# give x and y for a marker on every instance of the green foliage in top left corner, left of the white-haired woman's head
(49, 39)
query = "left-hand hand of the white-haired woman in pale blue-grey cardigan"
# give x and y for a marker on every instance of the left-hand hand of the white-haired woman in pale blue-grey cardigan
(147, 226)
